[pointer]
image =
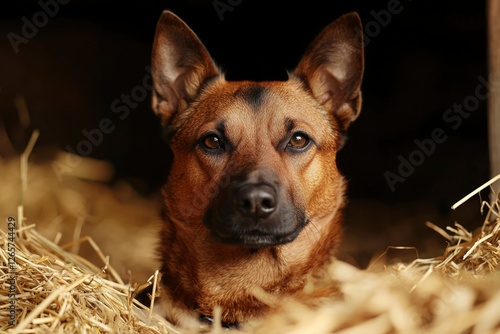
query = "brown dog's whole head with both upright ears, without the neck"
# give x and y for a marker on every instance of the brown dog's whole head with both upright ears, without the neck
(254, 162)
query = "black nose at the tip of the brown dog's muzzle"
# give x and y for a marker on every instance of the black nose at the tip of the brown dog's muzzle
(256, 200)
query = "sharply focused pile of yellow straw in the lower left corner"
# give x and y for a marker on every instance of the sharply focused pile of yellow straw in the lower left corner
(55, 291)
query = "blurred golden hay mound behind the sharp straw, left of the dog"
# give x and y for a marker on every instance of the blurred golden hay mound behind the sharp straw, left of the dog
(123, 223)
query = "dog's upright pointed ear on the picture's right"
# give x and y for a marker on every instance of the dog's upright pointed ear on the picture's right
(332, 67)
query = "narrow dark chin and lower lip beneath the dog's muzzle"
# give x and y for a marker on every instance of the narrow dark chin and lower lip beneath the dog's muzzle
(257, 239)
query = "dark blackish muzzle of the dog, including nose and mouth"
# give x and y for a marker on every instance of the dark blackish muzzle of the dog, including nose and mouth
(254, 214)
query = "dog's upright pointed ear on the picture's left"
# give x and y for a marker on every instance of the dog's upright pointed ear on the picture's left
(180, 65)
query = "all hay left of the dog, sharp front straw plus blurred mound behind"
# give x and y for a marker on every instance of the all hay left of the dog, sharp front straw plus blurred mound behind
(46, 287)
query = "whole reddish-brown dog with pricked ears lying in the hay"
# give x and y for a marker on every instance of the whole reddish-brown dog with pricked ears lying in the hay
(254, 196)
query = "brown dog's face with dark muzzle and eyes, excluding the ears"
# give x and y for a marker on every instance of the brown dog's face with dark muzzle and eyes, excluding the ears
(260, 154)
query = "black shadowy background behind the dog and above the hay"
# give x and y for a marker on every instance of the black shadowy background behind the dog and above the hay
(426, 59)
